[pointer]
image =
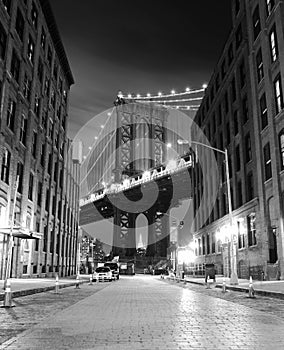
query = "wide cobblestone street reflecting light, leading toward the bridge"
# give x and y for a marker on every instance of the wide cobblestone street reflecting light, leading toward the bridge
(143, 312)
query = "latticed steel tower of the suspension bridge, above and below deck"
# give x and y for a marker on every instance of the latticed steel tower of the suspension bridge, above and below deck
(140, 145)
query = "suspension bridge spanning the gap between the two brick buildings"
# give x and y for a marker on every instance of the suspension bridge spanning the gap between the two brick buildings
(137, 166)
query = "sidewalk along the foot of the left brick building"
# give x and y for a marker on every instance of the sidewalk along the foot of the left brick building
(27, 286)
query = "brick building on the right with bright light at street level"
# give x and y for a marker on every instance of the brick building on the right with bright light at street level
(242, 111)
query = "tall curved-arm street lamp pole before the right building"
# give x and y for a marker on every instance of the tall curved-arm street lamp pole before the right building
(234, 275)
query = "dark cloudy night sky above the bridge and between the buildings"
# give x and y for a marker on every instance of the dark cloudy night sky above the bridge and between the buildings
(137, 47)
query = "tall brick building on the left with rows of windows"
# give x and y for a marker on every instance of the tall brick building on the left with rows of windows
(36, 163)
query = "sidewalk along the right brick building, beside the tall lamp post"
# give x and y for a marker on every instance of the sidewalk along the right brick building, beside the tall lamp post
(274, 289)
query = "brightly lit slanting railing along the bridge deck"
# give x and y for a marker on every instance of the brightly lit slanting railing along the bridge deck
(147, 176)
